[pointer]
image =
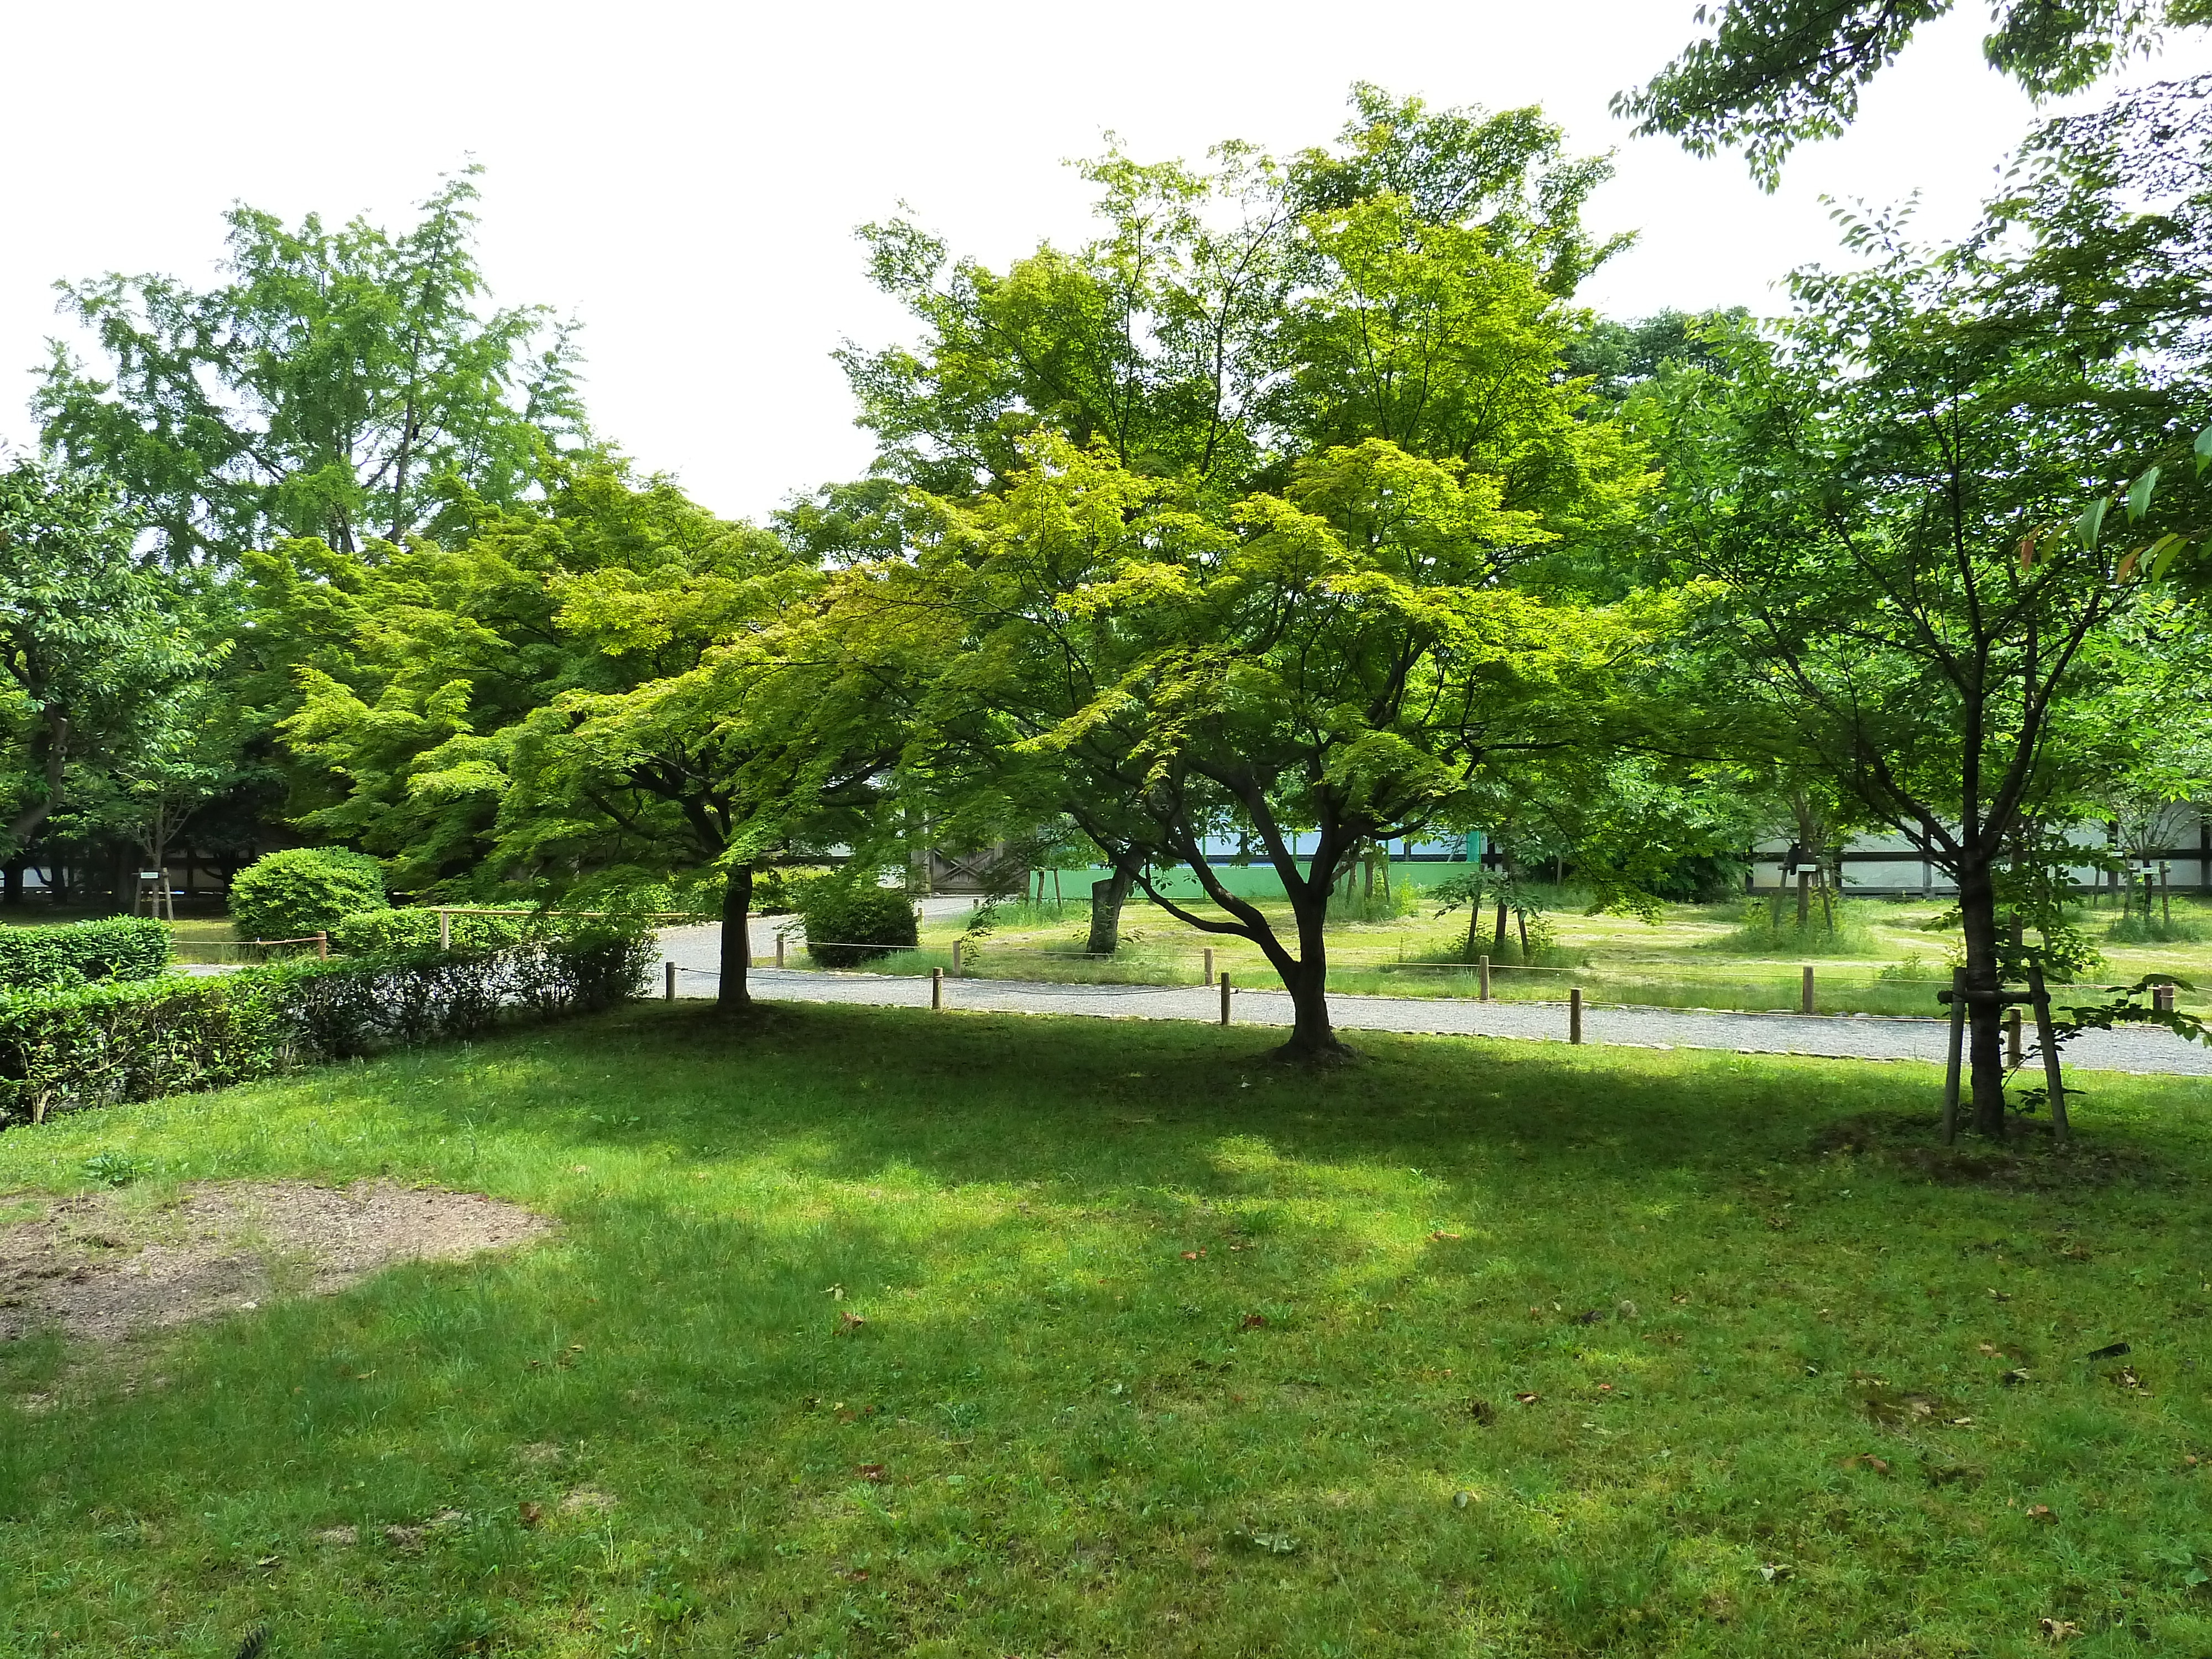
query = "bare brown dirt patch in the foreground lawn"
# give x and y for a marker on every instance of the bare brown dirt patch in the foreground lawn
(109, 1264)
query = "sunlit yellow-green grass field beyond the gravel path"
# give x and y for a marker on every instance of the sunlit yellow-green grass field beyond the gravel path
(1680, 961)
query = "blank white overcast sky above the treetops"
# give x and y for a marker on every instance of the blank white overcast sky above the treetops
(685, 178)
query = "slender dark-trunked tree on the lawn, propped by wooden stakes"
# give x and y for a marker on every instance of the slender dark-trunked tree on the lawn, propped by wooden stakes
(1903, 519)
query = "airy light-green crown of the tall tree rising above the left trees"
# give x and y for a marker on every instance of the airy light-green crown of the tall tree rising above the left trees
(333, 388)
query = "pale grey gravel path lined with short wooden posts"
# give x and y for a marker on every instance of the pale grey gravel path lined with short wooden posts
(696, 954)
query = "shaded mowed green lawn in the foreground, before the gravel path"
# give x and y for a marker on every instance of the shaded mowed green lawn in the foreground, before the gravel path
(1470, 1348)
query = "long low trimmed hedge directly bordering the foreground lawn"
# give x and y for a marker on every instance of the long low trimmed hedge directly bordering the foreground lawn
(114, 1043)
